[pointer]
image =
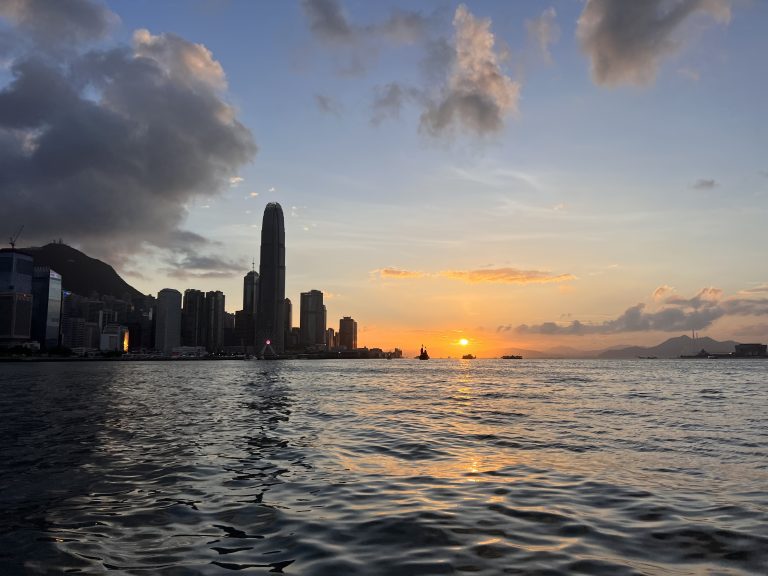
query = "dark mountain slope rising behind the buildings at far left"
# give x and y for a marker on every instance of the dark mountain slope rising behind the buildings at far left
(80, 273)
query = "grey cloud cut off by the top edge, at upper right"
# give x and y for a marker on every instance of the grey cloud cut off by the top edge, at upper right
(626, 41)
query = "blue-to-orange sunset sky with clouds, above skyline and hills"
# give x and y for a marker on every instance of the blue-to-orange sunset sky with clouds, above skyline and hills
(522, 175)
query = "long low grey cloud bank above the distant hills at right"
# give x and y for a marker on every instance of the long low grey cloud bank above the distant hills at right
(676, 315)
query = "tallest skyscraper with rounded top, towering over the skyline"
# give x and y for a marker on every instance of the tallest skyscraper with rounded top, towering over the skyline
(270, 310)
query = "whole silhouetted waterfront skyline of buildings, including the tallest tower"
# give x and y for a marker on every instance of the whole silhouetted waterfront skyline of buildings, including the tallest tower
(36, 313)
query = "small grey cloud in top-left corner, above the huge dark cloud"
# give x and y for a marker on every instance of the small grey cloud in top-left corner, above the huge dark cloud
(55, 23)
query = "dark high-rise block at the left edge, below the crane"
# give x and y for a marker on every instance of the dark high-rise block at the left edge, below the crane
(15, 297)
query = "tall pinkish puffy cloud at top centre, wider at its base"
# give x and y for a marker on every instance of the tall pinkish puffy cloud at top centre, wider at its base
(478, 95)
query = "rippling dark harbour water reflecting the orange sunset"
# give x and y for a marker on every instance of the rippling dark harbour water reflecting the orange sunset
(385, 467)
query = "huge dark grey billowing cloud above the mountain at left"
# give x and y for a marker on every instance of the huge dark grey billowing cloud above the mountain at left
(107, 148)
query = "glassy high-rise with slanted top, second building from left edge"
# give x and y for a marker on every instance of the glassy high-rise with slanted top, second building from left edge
(46, 307)
